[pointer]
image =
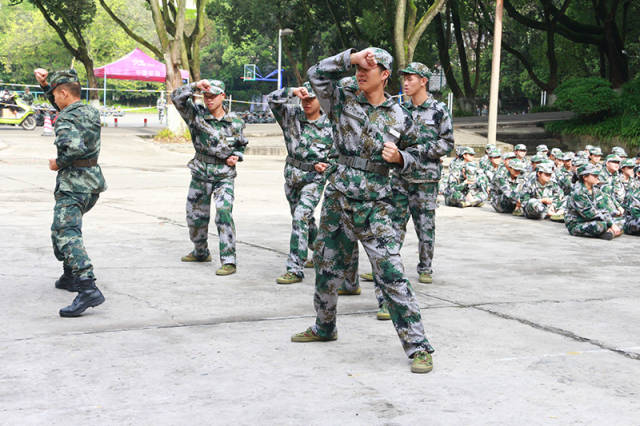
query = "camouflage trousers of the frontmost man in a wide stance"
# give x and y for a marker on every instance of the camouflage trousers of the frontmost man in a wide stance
(343, 222)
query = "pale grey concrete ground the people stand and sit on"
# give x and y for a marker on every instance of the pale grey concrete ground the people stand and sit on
(530, 325)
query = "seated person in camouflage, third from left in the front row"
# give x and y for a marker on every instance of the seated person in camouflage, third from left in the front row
(542, 198)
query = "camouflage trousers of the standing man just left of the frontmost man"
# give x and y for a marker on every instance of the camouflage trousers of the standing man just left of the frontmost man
(303, 199)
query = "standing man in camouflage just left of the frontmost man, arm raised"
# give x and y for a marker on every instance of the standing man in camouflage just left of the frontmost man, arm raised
(308, 137)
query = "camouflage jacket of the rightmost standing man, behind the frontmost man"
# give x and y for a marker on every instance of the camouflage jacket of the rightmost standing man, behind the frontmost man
(433, 122)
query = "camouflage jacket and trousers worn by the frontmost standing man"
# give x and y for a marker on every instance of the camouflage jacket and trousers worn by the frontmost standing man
(357, 204)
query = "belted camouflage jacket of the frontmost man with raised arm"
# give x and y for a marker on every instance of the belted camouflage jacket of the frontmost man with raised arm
(361, 129)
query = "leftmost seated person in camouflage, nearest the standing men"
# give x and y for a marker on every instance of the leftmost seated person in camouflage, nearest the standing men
(466, 188)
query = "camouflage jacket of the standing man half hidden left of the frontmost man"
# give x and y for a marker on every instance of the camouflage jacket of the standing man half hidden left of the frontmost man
(308, 141)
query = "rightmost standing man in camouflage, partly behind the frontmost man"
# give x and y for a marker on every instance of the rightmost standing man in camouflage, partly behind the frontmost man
(415, 192)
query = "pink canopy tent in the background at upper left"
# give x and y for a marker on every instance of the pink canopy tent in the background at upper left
(136, 65)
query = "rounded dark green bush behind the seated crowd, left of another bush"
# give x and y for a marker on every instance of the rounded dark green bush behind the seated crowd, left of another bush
(590, 98)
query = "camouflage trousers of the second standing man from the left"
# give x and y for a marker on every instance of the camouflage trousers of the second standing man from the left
(198, 215)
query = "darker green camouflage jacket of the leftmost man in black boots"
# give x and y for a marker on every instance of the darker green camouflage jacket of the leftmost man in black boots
(77, 132)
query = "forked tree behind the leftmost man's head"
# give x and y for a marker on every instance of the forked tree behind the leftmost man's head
(70, 19)
